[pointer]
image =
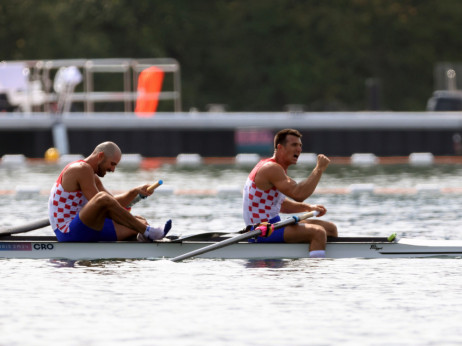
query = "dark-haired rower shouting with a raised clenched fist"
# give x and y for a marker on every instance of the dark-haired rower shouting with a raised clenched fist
(270, 191)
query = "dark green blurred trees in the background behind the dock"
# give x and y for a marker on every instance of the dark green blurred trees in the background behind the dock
(258, 55)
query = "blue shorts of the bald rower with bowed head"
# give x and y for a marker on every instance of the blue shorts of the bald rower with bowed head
(78, 231)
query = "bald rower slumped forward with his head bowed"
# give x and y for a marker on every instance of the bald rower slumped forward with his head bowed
(81, 209)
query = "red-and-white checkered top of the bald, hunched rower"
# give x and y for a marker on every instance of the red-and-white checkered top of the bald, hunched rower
(63, 206)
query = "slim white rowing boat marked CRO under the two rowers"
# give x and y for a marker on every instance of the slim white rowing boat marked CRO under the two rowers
(45, 247)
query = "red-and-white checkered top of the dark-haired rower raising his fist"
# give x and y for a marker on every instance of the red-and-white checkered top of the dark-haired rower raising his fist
(260, 206)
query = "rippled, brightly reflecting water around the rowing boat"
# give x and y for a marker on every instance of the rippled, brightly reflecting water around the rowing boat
(240, 302)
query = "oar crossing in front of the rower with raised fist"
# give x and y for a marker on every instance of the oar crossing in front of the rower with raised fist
(256, 232)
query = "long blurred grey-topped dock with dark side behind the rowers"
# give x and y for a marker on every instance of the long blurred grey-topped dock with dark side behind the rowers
(228, 134)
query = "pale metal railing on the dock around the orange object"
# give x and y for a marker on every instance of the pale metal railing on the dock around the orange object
(87, 93)
